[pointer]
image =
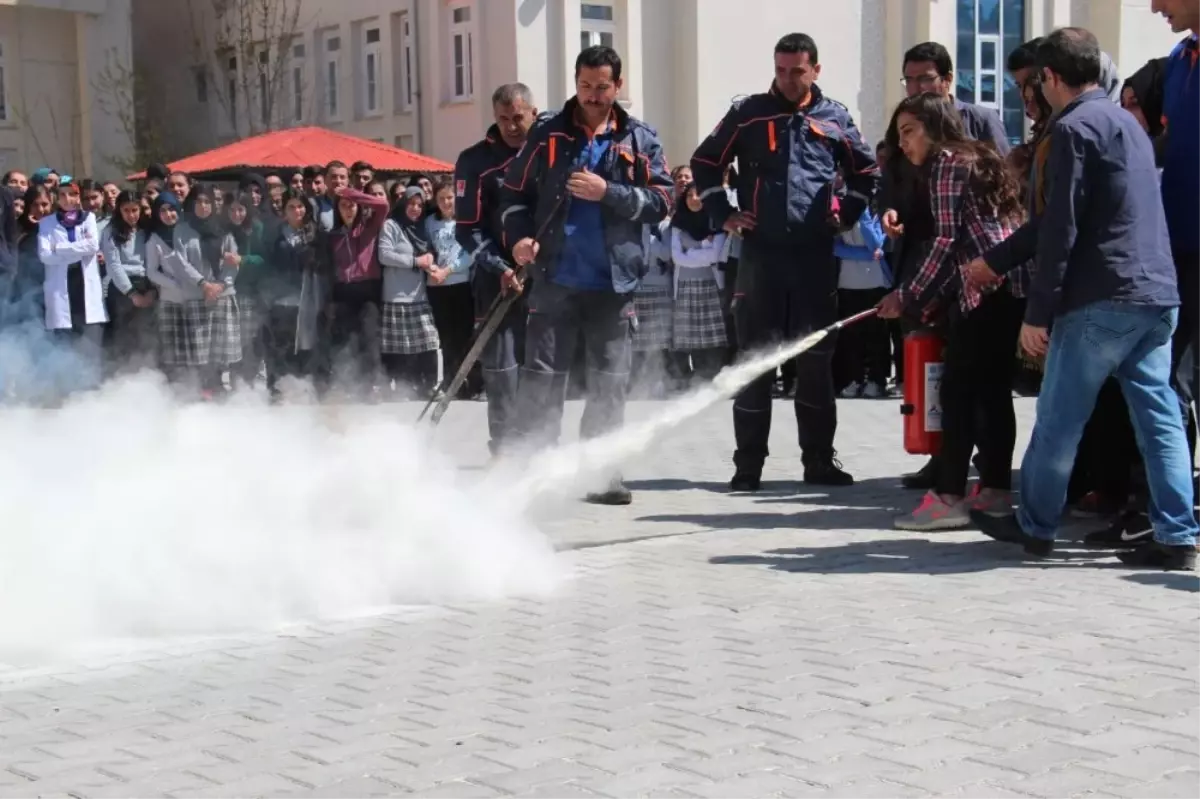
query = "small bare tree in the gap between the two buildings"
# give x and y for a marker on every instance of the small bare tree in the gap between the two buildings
(124, 93)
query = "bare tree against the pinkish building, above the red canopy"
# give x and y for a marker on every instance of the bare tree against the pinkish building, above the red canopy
(248, 47)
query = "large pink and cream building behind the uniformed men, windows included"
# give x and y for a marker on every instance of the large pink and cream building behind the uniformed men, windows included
(419, 74)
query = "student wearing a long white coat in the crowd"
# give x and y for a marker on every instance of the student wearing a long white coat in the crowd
(69, 248)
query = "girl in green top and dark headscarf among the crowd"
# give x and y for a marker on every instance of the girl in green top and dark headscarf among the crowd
(248, 231)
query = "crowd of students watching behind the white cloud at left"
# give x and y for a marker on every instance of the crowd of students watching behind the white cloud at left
(327, 274)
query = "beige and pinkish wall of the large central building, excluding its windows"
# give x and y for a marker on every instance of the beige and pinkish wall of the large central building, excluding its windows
(685, 59)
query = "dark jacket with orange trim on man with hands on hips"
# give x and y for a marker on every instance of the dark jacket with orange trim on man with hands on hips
(789, 155)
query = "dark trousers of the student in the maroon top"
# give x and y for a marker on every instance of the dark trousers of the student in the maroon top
(355, 335)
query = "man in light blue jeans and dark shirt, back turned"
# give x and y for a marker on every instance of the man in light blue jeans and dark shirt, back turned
(1106, 281)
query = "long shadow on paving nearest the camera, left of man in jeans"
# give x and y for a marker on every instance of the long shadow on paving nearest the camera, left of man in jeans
(899, 556)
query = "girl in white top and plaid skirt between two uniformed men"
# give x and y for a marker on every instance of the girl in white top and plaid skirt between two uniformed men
(698, 332)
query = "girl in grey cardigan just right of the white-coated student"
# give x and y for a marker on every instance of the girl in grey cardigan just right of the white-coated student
(130, 343)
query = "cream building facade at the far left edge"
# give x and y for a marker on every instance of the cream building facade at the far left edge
(67, 86)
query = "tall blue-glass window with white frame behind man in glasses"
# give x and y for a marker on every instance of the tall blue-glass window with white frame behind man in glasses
(988, 31)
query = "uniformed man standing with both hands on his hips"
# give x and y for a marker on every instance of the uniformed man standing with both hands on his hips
(790, 143)
